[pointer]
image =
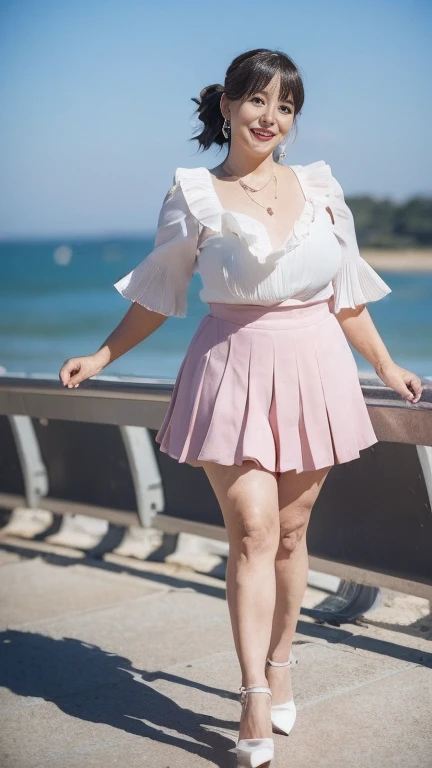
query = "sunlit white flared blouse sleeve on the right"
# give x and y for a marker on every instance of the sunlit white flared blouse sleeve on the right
(356, 282)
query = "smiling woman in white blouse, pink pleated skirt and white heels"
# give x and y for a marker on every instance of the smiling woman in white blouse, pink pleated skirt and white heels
(267, 398)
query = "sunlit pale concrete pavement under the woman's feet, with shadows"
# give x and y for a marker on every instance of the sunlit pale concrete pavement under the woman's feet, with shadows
(121, 661)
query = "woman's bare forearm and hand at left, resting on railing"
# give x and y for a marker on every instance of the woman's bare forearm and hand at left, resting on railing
(137, 324)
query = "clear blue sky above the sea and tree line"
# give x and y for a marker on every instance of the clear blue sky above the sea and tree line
(97, 112)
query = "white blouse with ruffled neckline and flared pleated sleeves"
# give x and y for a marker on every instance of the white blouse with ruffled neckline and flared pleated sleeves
(236, 260)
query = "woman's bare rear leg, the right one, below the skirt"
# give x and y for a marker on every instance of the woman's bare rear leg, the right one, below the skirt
(297, 495)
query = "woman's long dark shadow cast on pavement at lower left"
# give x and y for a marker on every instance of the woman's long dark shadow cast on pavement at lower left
(91, 684)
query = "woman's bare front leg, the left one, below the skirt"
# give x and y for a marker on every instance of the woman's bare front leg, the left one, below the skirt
(248, 498)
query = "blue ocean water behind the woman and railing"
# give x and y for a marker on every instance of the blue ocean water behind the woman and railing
(58, 301)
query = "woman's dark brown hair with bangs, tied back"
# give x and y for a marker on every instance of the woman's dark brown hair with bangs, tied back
(248, 73)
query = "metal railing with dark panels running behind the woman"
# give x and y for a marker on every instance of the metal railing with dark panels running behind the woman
(92, 450)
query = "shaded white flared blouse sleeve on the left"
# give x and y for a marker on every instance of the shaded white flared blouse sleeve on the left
(160, 282)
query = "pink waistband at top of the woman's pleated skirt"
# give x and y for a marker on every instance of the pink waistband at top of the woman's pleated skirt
(278, 316)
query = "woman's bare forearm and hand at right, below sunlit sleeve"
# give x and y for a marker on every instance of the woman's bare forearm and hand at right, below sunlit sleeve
(360, 331)
